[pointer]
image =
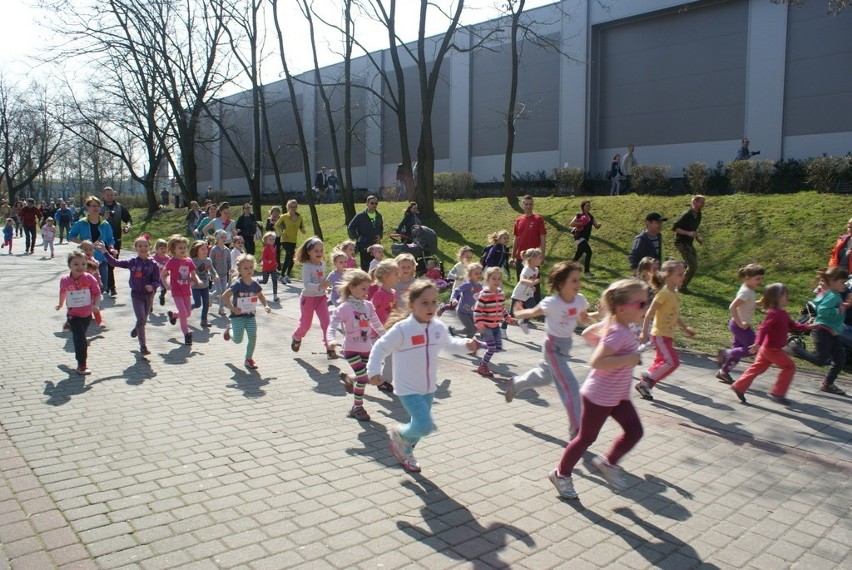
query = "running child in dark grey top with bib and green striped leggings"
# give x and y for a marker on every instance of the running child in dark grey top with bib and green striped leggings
(241, 298)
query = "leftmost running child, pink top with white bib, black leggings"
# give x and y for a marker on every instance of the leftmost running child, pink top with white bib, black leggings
(79, 291)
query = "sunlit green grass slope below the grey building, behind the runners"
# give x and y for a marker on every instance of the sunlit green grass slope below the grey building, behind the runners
(791, 235)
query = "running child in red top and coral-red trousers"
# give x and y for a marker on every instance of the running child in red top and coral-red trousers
(769, 346)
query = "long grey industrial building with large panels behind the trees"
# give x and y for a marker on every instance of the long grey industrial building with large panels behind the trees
(681, 81)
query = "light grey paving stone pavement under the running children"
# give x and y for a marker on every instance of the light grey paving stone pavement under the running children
(187, 459)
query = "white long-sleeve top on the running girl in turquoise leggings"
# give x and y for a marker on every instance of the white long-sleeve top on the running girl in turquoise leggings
(414, 348)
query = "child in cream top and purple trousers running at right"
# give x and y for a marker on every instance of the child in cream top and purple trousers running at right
(742, 313)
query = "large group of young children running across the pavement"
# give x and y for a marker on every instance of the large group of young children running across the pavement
(384, 324)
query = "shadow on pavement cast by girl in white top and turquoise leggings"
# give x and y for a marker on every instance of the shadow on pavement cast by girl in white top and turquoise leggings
(452, 529)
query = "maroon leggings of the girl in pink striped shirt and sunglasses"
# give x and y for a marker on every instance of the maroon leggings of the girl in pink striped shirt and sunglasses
(591, 422)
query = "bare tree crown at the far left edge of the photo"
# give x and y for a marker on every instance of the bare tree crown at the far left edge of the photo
(29, 137)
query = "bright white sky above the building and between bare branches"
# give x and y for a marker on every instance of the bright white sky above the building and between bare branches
(23, 37)
